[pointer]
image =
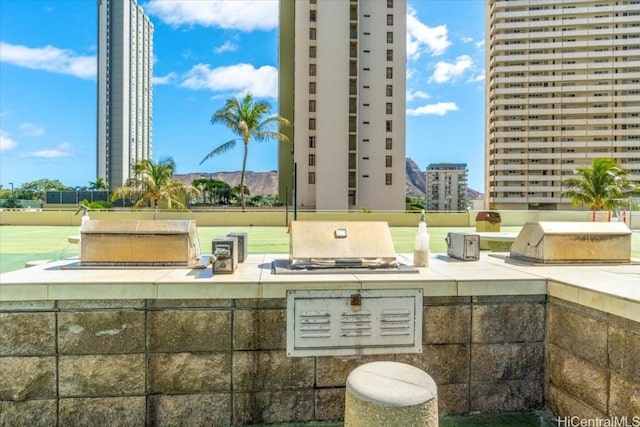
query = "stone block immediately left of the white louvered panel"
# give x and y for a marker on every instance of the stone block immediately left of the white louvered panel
(259, 330)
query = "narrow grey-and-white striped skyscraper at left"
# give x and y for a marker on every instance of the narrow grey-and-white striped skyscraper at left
(125, 90)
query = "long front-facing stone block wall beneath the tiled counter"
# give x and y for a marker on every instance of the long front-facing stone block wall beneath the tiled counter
(221, 362)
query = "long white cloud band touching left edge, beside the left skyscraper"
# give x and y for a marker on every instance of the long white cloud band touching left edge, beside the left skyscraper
(49, 58)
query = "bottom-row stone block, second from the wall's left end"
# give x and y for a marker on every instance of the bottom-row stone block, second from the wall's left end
(105, 411)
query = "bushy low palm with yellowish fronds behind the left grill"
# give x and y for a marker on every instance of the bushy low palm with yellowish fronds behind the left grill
(153, 183)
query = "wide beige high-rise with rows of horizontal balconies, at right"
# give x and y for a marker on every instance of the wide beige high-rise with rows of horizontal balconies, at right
(562, 88)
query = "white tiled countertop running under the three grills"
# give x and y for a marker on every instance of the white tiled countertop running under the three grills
(491, 275)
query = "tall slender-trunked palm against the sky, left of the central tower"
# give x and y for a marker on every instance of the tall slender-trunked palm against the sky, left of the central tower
(246, 118)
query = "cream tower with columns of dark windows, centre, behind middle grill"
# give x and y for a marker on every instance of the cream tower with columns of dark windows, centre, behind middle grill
(342, 85)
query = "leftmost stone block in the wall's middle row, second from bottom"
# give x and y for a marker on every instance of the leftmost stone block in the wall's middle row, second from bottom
(26, 378)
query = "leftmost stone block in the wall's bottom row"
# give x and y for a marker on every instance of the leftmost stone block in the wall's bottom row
(32, 413)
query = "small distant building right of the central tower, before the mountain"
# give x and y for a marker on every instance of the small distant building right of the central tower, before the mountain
(446, 188)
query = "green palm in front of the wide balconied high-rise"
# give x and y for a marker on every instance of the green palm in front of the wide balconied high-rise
(601, 186)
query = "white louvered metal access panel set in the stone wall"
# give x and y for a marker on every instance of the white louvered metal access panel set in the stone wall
(354, 322)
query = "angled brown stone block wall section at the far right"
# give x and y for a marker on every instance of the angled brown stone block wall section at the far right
(594, 363)
